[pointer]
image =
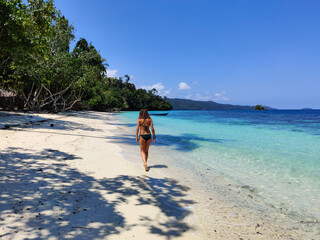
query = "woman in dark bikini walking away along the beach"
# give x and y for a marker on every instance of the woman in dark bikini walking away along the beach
(144, 122)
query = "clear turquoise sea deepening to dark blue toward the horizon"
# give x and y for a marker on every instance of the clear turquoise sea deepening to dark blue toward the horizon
(277, 153)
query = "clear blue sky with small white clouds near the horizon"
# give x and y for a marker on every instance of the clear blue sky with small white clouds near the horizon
(235, 51)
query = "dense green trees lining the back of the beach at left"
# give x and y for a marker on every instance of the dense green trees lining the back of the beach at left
(39, 72)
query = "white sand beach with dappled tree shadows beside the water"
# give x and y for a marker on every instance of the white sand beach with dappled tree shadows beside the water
(64, 176)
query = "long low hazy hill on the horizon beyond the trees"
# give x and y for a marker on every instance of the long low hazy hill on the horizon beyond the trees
(186, 104)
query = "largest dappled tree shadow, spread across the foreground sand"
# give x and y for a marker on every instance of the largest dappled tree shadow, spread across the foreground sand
(43, 197)
